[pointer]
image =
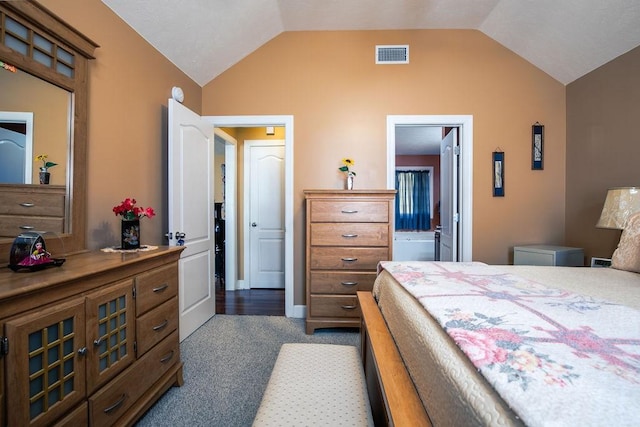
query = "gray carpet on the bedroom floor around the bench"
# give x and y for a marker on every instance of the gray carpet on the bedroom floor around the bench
(227, 363)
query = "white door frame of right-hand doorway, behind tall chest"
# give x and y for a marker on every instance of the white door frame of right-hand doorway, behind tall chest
(462, 214)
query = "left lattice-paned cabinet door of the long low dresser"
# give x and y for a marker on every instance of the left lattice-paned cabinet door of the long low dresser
(48, 373)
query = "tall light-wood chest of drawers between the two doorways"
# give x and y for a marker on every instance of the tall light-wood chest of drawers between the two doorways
(348, 233)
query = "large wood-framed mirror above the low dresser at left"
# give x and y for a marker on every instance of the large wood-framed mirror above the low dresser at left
(44, 78)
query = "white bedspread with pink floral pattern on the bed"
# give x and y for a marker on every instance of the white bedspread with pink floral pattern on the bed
(555, 357)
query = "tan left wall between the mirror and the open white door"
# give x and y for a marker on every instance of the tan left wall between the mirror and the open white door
(130, 83)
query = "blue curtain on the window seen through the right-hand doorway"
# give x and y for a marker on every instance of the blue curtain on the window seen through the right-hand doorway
(412, 200)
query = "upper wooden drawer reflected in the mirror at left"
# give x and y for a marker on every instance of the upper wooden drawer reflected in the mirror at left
(32, 204)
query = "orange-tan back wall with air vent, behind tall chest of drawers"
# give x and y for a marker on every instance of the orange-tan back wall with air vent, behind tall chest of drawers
(340, 99)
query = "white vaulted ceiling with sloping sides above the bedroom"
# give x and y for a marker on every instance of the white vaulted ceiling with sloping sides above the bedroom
(565, 38)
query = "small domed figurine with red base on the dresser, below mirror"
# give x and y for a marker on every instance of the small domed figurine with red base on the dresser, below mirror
(30, 252)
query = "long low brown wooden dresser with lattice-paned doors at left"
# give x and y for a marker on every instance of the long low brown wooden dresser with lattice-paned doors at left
(93, 342)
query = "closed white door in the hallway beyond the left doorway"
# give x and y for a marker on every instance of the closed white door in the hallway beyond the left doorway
(266, 213)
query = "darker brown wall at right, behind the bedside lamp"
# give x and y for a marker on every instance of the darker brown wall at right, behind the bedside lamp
(603, 149)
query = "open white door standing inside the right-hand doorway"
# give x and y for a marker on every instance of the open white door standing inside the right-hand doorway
(449, 197)
